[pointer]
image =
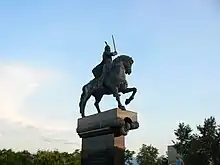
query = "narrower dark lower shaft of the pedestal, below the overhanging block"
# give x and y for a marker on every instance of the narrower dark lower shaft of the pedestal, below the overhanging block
(103, 150)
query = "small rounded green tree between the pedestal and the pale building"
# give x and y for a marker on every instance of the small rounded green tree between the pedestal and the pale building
(147, 155)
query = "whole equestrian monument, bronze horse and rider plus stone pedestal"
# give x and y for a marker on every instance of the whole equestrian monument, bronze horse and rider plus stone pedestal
(103, 134)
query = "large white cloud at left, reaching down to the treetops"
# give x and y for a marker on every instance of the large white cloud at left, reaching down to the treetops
(18, 83)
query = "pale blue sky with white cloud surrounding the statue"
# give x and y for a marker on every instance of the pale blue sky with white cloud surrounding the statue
(48, 49)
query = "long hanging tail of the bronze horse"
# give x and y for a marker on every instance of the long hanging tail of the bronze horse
(86, 94)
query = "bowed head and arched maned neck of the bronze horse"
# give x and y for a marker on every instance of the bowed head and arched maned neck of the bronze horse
(127, 62)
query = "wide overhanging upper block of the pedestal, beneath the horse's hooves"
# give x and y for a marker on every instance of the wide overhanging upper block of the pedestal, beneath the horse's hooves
(114, 121)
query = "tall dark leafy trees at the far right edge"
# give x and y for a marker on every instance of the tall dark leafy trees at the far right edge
(202, 148)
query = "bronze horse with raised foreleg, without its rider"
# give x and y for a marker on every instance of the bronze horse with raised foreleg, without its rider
(113, 83)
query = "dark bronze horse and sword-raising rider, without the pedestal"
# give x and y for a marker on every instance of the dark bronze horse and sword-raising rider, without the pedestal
(110, 78)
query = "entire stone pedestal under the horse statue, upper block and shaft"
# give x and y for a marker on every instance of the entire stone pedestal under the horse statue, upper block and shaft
(103, 136)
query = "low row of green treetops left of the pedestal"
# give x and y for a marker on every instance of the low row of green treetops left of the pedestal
(9, 157)
